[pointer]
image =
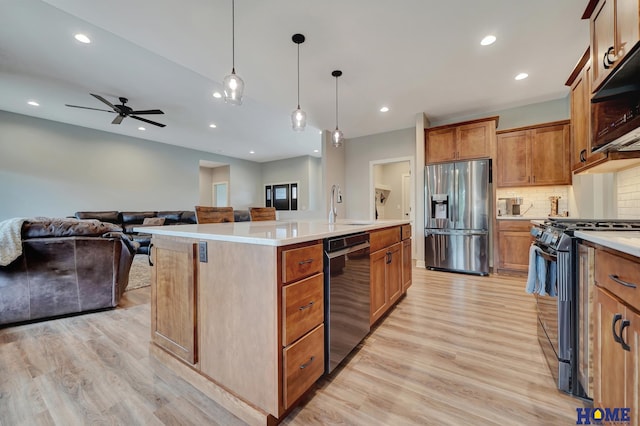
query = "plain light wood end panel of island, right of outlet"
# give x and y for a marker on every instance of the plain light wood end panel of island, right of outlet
(238, 321)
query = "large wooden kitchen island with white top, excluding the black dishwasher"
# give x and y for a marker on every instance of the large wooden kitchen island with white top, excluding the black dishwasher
(237, 309)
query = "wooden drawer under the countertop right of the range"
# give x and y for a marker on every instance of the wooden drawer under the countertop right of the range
(607, 265)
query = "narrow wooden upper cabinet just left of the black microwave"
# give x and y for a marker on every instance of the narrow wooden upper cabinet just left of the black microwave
(580, 83)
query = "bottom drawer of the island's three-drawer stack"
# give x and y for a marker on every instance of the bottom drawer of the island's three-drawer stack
(303, 365)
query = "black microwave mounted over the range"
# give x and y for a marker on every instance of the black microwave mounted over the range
(615, 109)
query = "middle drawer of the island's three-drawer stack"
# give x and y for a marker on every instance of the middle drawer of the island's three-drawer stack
(303, 304)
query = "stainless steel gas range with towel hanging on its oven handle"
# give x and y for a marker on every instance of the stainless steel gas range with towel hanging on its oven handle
(563, 310)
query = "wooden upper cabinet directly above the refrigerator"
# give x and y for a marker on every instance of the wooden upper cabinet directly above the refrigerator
(461, 141)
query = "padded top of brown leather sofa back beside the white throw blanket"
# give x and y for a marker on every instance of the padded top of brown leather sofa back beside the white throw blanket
(45, 227)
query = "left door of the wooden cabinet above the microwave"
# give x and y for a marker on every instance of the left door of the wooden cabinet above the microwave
(602, 40)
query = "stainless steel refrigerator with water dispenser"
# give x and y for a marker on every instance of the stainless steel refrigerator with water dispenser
(457, 216)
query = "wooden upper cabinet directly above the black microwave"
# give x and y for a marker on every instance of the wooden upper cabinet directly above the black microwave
(615, 30)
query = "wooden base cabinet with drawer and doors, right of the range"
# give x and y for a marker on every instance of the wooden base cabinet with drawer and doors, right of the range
(616, 331)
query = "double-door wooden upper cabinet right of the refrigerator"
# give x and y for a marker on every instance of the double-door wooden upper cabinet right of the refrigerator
(534, 156)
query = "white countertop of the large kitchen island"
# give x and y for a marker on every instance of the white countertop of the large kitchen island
(270, 233)
